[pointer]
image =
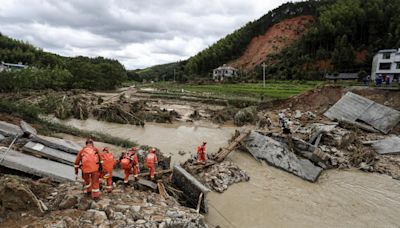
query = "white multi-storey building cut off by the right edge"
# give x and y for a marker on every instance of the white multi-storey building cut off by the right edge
(386, 63)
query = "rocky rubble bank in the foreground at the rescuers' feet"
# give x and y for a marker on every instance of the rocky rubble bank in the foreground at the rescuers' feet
(36, 204)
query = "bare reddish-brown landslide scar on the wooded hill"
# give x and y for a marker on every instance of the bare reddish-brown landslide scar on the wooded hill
(273, 41)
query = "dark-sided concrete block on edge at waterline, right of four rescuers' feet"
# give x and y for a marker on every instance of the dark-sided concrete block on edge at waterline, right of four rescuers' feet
(191, 187)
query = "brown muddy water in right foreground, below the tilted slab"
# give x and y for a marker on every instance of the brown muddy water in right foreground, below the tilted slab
(275, 198)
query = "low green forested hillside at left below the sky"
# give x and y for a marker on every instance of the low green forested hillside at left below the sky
(48, 70)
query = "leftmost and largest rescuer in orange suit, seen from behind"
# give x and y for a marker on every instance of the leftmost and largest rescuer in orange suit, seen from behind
(88, 160)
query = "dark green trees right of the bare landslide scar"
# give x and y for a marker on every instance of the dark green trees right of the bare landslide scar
(343, 28)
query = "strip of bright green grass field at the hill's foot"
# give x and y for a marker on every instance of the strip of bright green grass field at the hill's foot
(254, 91)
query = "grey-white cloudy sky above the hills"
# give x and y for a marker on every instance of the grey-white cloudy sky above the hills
(139, 33)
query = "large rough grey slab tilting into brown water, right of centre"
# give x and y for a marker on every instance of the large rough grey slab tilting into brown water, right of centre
(277, 154)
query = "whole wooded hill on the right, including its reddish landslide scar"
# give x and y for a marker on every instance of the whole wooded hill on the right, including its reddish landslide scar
(304, 40)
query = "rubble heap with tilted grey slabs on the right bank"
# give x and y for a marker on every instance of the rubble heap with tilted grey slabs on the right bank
(356, 139)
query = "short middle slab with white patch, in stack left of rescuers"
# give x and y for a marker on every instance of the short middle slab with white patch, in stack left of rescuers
(41, 150)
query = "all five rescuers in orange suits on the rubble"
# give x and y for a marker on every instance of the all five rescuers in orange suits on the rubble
(97, 167)
